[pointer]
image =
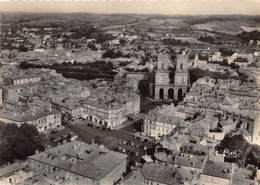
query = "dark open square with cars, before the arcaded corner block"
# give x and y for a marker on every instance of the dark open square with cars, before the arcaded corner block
(122, 140)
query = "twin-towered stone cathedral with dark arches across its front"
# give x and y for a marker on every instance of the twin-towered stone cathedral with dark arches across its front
(162, 87)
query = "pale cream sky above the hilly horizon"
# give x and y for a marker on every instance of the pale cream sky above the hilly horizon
(167, 7)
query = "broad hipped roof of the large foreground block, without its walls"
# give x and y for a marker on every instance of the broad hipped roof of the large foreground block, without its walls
(89, 160)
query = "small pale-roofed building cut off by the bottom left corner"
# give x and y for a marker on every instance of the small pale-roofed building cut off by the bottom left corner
(14, 174)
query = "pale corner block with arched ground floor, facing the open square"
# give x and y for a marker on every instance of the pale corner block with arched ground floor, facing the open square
(111, 111)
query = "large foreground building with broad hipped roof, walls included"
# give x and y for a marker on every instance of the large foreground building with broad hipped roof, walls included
(81, 163)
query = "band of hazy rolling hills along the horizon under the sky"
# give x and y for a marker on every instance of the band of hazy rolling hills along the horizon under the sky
(230, 24)
